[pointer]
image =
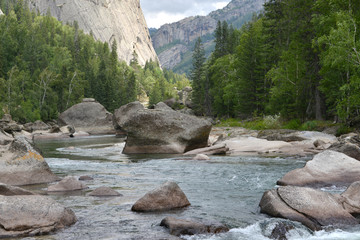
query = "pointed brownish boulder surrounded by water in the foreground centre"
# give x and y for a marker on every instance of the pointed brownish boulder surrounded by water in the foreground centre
(166, 197)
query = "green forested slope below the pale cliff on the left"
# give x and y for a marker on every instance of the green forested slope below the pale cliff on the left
(46, 67)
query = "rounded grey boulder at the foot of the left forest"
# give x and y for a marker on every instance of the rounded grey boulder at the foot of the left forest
(88, 116)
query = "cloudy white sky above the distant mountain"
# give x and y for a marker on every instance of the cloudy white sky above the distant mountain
(160, 12)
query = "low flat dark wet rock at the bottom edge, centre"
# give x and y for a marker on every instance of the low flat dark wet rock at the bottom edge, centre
(179, 227)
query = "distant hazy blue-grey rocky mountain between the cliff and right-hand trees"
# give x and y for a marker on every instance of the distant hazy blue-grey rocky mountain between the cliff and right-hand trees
(174, 42)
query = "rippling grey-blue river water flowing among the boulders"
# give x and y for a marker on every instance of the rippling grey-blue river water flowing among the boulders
(225, 189)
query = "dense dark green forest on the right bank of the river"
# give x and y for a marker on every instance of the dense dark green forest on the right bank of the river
(299, 59)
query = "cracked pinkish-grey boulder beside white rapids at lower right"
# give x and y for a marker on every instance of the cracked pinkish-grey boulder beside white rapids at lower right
(313, 208)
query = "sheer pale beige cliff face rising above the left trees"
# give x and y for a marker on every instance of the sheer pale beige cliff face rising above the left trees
(121, 20)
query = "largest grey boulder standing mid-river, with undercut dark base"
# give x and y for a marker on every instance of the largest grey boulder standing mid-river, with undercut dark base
(159, 130)
